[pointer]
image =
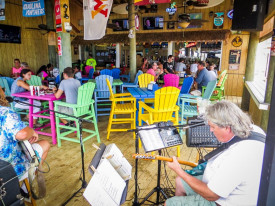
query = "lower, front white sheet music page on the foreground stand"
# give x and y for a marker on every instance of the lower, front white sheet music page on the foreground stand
(106, 183)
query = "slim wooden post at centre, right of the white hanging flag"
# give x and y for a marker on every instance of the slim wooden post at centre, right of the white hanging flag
(131, 17)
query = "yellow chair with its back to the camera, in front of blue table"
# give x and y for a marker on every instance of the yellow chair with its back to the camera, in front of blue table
(164, 108)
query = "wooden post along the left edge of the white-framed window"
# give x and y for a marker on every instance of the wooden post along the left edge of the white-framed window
(249, 70)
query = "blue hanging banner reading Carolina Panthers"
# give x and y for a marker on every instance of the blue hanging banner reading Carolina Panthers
(33, 8)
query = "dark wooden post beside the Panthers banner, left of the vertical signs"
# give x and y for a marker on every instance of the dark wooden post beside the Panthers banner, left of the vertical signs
(49, 6)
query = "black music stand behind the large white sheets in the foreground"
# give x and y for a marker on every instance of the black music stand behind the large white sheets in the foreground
(95, 162)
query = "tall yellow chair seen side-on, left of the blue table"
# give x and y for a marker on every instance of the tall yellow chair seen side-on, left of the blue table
(128, 107)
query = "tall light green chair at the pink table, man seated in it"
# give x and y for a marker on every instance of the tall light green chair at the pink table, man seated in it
(84, 109)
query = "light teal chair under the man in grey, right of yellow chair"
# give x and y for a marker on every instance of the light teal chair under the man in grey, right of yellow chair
(190, 110)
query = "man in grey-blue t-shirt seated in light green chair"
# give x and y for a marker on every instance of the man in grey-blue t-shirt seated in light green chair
(69, 86)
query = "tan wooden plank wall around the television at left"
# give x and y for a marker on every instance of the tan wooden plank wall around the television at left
(34, 46)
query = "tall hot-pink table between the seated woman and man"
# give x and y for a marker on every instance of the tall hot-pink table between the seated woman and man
(47, 97)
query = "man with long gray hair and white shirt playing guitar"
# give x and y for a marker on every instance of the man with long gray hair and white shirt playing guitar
(232, 176)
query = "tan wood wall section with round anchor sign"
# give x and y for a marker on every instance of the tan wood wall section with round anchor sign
(234, 84)
